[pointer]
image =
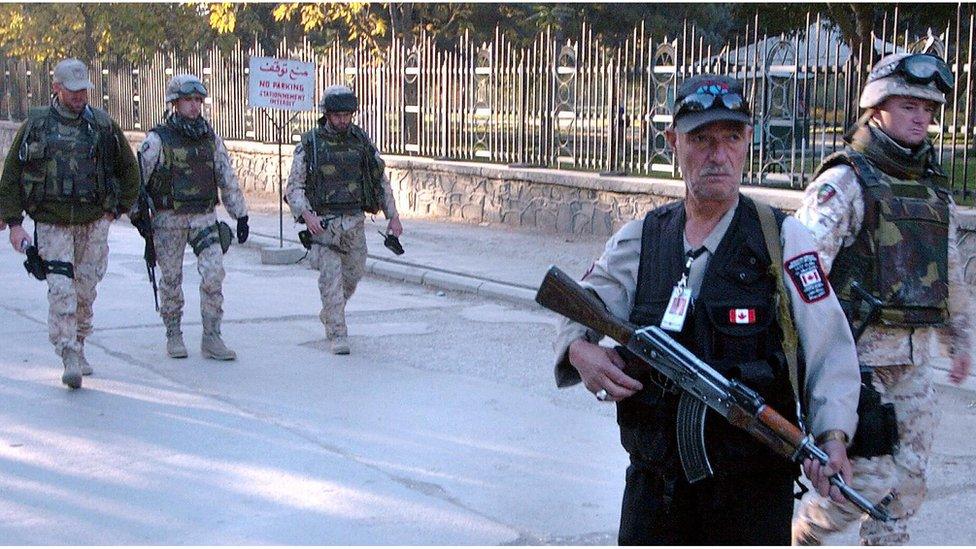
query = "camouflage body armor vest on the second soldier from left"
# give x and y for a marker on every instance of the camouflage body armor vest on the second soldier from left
(185, 179)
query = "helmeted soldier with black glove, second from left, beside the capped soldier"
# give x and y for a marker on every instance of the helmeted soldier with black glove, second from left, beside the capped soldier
(184, 164)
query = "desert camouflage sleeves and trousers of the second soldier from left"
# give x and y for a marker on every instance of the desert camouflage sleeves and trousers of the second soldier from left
(173, 231)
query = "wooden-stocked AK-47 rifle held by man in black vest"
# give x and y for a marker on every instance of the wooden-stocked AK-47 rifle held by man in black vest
(700, 385)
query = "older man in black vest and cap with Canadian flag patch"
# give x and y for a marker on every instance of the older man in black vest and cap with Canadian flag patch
(709, 250)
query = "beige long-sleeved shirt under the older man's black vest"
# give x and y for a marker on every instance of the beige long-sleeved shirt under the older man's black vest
(832, 377)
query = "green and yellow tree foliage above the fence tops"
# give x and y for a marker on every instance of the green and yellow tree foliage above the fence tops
(135, 31)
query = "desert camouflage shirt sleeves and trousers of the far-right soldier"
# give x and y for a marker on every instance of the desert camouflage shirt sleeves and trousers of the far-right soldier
(902, 358)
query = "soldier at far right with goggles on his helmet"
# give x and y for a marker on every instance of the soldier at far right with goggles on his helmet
(883, 219)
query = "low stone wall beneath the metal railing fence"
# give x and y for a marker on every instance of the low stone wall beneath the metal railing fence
(552, 201)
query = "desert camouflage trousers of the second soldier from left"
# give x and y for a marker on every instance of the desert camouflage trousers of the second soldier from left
(172, 233)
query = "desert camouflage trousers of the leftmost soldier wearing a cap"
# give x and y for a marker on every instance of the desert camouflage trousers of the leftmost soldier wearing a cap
(69, 319)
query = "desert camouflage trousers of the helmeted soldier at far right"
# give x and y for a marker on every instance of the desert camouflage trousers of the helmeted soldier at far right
(909, 387)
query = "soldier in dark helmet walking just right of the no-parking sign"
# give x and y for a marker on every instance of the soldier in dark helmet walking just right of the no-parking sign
(337, 175)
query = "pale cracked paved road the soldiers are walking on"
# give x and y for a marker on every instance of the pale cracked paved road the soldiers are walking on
(442, 427)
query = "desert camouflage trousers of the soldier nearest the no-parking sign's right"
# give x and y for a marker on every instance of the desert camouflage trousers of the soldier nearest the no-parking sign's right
(339, 254)
